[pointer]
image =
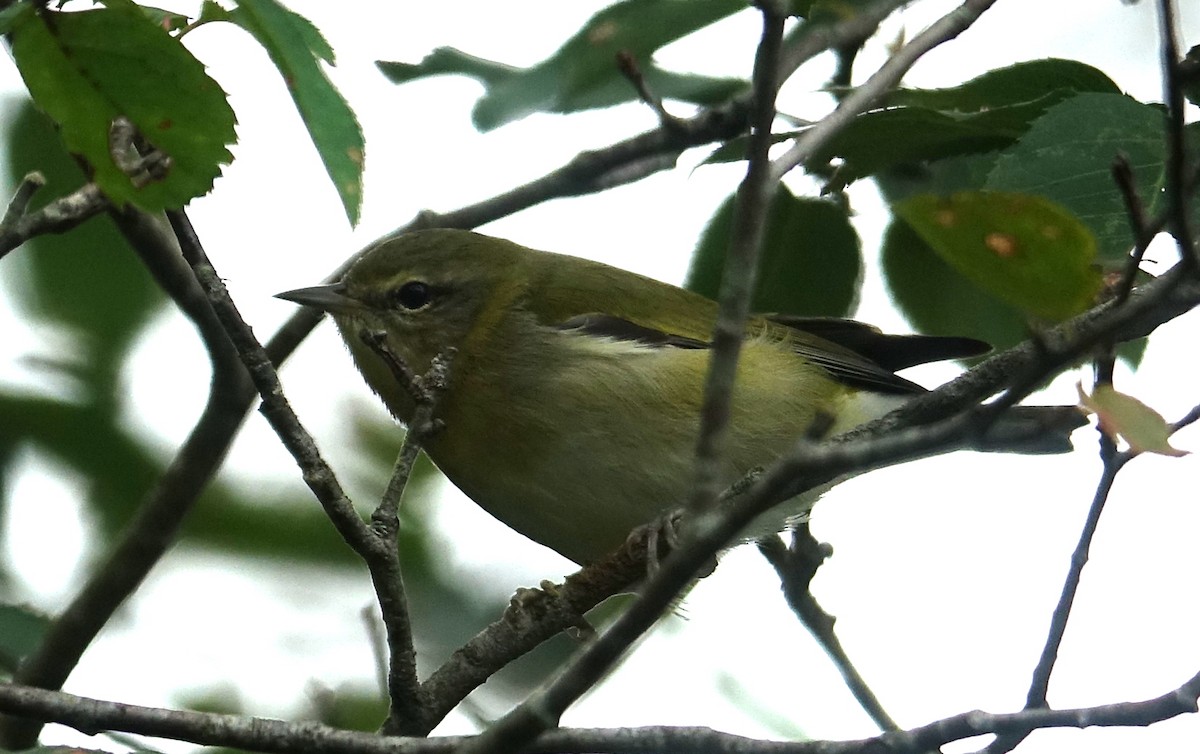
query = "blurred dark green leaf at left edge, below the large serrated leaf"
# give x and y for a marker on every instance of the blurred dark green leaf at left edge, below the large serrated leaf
(86, 280)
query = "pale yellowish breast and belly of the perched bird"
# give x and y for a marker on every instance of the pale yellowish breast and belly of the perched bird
(611, 445)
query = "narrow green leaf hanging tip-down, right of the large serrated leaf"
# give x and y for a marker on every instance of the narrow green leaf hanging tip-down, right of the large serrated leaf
(296, 47)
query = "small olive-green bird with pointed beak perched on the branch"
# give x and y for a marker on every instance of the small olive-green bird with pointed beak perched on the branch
(572, 411)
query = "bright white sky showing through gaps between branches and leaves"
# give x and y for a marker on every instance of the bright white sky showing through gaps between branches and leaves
(945, 572)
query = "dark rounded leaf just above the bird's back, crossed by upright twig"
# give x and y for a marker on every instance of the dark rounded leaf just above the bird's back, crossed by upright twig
(812, 259)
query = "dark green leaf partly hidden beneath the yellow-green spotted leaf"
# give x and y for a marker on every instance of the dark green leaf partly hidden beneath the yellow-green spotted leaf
(940, 302)
